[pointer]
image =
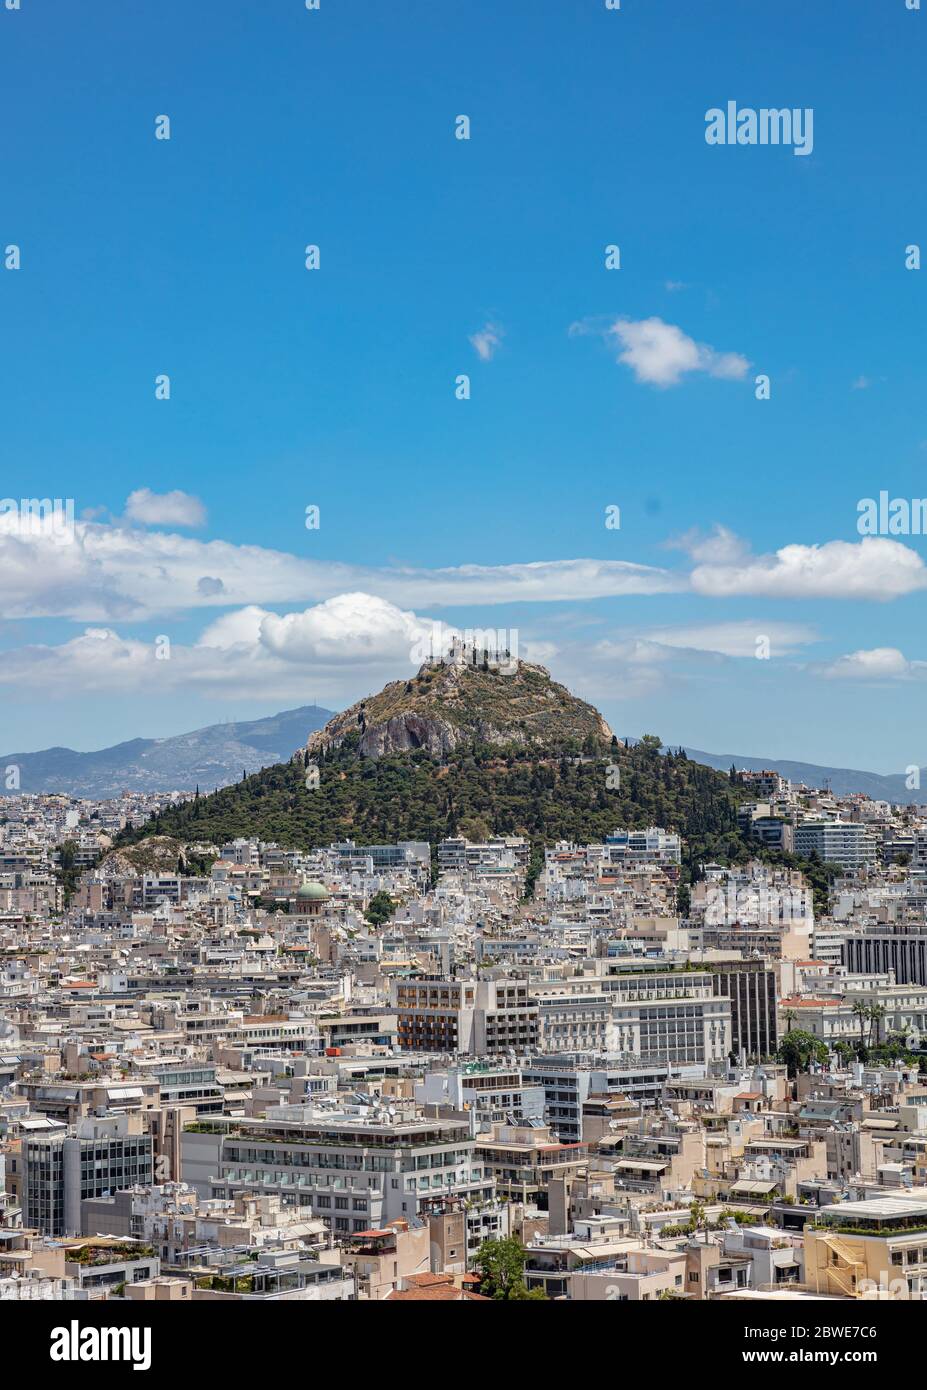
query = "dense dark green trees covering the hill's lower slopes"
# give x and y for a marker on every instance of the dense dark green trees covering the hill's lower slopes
(564, 793)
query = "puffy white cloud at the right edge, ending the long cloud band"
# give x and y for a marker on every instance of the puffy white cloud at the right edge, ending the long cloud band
(869, 569)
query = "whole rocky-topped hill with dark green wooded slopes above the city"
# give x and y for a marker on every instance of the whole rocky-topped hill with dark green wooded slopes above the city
(473, 751)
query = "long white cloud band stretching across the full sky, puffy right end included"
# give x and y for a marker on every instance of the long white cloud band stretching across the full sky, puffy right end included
(110, 575)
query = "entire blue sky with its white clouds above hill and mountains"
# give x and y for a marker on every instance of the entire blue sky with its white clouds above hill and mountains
(337, 387)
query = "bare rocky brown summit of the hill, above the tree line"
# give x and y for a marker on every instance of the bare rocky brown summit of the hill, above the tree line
(461, 703)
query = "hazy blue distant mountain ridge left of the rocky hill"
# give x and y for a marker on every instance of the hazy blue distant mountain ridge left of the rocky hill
(211, 757)
